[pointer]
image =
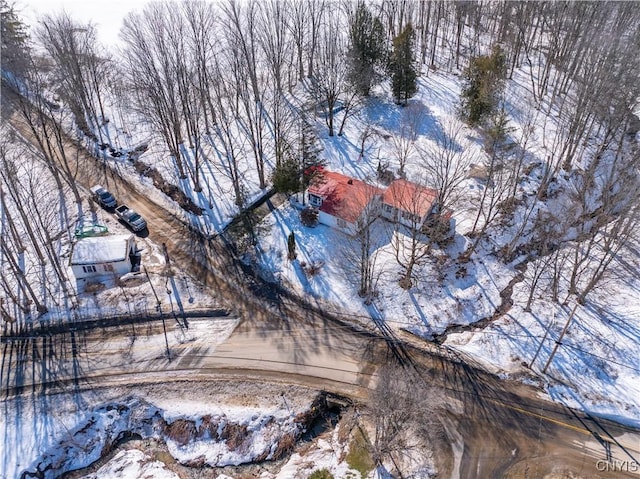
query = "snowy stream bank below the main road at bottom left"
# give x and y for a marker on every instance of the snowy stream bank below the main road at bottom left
(224, 423)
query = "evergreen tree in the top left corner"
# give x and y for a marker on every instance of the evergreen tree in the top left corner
(15, 41)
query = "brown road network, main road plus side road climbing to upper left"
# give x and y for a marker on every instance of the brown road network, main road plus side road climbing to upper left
(504, 426)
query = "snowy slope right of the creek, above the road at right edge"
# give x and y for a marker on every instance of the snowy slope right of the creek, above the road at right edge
(597, 367)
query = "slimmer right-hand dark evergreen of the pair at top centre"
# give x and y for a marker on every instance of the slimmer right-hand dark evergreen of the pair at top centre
(402, 66)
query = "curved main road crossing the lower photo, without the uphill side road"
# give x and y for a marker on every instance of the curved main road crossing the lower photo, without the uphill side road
(503, 434)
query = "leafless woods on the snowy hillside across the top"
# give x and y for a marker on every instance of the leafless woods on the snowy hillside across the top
(222, 74)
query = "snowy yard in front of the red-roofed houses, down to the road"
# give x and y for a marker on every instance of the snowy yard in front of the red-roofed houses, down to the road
(425, 309)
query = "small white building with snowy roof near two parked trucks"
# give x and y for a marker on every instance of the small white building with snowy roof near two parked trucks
(113, 255)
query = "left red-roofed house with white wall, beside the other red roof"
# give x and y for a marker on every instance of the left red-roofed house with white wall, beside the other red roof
(343, 201)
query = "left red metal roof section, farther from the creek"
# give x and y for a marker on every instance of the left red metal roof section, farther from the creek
(343, 196)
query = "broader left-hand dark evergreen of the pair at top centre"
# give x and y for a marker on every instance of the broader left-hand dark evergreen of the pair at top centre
(367, 49)
